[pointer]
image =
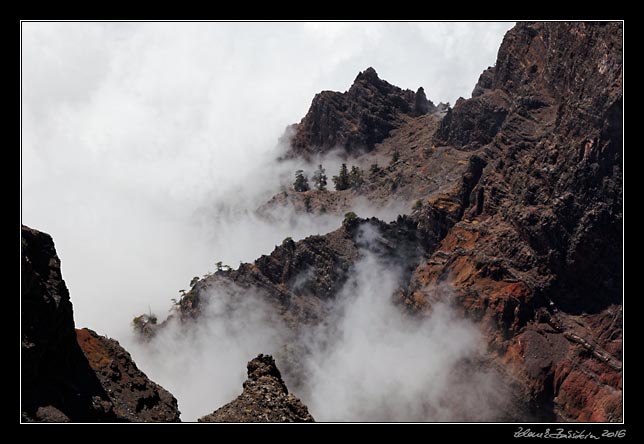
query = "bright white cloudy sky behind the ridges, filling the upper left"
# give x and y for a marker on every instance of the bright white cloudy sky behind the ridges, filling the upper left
(129, 128)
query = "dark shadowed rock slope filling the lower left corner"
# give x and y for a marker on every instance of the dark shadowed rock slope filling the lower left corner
(59, 384)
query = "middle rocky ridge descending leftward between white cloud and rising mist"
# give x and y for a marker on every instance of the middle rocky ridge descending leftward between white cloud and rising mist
(299, 278)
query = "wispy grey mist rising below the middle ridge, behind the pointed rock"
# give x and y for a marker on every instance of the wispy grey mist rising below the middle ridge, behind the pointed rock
(367, 361)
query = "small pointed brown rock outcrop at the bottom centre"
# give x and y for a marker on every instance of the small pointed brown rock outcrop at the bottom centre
(265, 398)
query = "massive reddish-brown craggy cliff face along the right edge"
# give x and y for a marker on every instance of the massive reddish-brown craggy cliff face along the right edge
(537, 255)
